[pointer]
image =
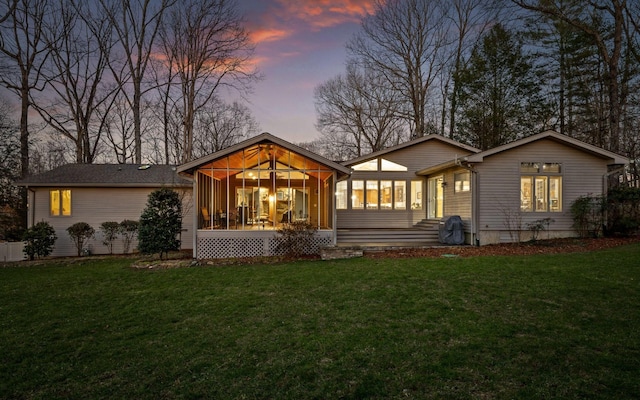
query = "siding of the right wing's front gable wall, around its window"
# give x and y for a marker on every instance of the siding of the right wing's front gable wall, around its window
(499, 188)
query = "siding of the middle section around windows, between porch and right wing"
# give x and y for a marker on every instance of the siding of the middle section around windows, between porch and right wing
(415, 158)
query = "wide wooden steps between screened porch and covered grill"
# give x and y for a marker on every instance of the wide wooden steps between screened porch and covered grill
(424, 233)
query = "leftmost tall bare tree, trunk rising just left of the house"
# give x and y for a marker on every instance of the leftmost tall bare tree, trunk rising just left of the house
(23, 51)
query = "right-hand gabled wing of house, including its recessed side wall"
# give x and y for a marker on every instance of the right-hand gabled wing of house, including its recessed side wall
(501, 192)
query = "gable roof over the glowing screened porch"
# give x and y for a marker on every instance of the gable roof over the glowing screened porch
(190, 167)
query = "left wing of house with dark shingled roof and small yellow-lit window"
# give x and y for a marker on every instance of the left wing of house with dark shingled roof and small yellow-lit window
(97, 193)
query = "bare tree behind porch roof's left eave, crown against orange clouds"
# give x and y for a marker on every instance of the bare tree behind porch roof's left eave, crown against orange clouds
(210, 48)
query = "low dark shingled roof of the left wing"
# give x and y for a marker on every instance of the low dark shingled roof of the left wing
(108, 175)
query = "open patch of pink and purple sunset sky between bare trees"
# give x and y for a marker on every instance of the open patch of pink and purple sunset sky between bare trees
(299, 45)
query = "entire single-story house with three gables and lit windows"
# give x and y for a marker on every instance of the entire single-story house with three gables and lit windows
(240, 196)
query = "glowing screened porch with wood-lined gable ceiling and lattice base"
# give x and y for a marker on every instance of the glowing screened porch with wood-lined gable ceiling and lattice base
(245, 193)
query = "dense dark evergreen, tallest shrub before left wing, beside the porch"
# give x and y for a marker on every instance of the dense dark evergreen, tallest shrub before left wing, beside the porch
(160, 223)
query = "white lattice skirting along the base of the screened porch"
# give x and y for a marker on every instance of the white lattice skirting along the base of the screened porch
(230, 244)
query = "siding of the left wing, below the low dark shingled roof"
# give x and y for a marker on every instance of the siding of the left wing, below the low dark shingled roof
(95, 206)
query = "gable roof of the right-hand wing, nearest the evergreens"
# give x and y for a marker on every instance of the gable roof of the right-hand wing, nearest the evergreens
(555, 136)
